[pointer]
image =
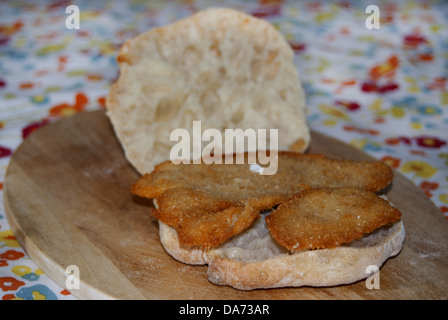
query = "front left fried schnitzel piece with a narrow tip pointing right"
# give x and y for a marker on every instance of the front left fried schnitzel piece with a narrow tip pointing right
(207, 219)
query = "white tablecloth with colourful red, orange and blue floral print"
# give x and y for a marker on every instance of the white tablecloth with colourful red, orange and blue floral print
(381, 90)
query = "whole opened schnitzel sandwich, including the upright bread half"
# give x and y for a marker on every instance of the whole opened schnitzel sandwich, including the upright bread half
(315, 222)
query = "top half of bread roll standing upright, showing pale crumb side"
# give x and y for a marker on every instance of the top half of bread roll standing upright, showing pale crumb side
(220, 66)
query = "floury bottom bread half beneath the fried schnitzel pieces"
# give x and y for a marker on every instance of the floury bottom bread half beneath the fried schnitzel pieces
(318, 268)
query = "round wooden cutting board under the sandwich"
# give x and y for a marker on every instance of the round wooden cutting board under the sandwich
(68, 202)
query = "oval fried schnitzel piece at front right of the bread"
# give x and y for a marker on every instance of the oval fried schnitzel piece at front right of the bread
(328, 217)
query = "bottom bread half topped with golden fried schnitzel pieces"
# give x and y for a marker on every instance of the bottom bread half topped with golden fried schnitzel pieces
(316, 222)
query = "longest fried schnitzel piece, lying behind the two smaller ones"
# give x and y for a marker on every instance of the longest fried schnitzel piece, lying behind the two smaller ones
(313, 170)
